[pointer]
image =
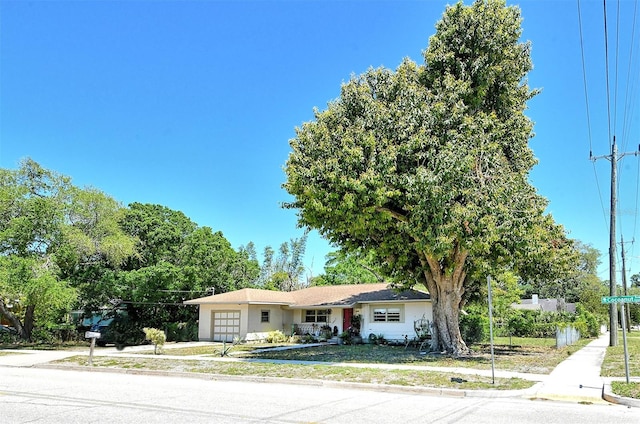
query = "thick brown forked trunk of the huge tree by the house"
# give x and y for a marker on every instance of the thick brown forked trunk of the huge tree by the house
(445, 284)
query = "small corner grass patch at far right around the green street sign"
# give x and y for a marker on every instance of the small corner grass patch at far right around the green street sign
(613, 365)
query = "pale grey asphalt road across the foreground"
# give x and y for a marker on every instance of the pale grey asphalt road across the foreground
(31, 395)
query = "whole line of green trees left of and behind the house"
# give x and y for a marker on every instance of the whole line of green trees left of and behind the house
(65, 248)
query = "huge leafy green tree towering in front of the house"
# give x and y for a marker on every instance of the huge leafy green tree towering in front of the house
(428, 166)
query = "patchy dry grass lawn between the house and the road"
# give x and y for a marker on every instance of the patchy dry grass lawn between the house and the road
(524, 355)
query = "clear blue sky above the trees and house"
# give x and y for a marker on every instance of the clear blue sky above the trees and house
(190, 104)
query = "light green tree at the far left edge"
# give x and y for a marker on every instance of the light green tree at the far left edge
(51, 230)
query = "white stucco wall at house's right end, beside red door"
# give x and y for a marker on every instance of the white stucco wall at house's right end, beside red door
(394, 330)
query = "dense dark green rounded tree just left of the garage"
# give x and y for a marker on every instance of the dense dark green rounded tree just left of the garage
(178, 260)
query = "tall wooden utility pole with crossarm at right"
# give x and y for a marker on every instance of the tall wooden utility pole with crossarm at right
(613, 310)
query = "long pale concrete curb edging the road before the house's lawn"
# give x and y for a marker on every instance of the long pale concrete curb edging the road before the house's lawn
(389, 388)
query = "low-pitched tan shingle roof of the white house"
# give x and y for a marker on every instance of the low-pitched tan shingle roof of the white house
(341, 295)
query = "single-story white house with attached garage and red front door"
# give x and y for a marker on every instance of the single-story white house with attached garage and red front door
(250, 314)
